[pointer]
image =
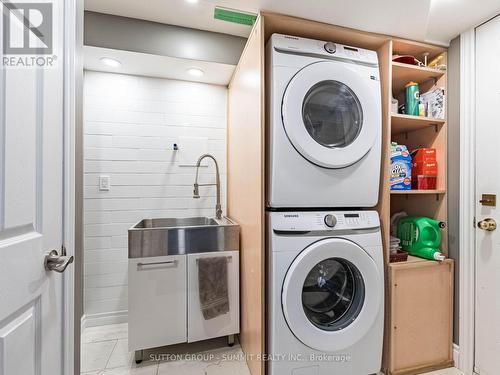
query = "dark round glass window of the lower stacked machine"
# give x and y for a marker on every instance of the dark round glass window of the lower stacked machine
(333, 294)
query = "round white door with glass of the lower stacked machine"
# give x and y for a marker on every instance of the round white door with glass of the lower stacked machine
(331, 294)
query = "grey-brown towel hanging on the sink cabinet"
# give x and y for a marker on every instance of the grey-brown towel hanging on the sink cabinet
(213, 290)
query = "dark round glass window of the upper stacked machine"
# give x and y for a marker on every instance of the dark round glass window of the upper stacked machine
(332, 114)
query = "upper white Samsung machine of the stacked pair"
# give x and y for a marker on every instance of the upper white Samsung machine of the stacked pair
(324, 124)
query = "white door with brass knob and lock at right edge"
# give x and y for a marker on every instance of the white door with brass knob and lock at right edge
(487, 340)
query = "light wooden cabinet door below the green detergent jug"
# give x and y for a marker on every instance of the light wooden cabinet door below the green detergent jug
(421, 316)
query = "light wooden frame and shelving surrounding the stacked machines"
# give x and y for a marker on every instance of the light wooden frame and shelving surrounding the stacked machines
(247, 159)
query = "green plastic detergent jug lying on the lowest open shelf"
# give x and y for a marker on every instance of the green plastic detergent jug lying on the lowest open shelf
(421, 236)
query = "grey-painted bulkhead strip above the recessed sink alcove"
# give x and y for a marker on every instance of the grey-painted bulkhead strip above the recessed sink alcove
(130, 34)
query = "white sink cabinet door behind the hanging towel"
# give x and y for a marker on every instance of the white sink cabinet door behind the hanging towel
(227, 324)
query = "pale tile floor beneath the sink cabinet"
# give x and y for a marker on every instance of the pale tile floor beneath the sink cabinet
(105, 352)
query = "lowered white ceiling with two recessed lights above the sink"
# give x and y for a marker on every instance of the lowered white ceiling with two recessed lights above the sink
(156, 66)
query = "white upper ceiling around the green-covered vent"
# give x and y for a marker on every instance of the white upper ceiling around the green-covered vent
(435, 21)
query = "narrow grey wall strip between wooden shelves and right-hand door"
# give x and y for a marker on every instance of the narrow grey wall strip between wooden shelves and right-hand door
(454, 167)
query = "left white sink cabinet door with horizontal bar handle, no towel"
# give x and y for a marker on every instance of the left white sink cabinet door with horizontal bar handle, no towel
(157, 301)
